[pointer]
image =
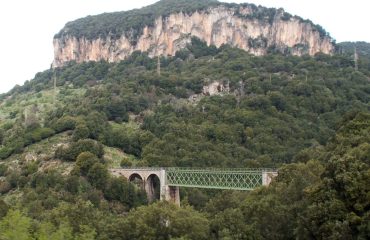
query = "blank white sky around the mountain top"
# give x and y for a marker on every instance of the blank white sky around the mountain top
(28, 26)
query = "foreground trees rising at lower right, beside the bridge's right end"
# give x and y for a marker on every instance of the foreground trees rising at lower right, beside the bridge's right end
(325, 198)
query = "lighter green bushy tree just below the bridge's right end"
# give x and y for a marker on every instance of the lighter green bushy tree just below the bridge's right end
(269, 212)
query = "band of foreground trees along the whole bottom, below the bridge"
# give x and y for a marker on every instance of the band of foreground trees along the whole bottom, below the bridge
(321, 198)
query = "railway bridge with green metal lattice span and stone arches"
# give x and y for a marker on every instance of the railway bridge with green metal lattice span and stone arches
(168, 180)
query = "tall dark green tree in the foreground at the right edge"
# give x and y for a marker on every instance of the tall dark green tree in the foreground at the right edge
(340, 203)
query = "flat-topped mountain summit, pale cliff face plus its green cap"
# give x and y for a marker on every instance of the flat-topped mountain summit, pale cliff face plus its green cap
(168, 26)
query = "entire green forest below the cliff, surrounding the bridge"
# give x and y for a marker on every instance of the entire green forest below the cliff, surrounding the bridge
(307, 116)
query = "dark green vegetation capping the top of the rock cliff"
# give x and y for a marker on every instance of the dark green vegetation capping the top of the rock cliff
(132, 22)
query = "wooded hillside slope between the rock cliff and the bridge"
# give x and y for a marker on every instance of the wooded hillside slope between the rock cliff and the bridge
(277, 106)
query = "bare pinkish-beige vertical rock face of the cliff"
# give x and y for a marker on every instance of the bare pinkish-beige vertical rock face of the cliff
(217, 25)
